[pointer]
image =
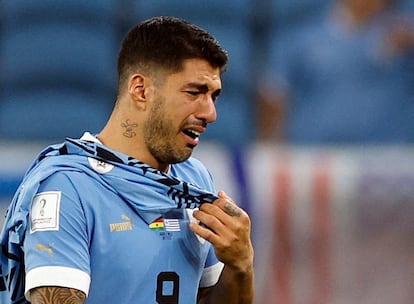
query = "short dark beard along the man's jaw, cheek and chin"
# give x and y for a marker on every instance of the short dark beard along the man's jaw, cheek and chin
(160, 135)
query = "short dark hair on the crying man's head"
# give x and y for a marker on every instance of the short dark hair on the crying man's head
(164, 42)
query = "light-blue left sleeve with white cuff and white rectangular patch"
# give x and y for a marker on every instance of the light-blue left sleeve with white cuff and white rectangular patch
(56, 242)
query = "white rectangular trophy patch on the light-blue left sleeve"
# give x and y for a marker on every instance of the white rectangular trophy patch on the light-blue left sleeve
(44, 215)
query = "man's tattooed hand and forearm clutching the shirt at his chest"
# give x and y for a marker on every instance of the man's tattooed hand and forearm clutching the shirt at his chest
(228, 229)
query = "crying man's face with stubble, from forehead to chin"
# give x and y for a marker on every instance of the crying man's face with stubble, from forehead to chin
(179, 113)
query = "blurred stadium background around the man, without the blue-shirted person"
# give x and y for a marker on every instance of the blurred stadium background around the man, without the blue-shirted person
(331, 223)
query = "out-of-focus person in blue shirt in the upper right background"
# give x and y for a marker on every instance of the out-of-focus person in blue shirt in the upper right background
(344, 76)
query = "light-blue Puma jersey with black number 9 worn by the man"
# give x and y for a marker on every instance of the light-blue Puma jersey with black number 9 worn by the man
(85, 235)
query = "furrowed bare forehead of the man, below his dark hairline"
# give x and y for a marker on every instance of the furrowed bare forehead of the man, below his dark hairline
(197, 71)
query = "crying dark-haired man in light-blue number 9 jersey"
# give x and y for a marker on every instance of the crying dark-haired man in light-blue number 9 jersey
(128, 216)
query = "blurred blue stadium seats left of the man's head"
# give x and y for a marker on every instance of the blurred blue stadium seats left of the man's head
(57, 62)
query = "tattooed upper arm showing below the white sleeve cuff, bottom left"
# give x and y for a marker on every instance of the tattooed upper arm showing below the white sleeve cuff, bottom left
(56, 295)
